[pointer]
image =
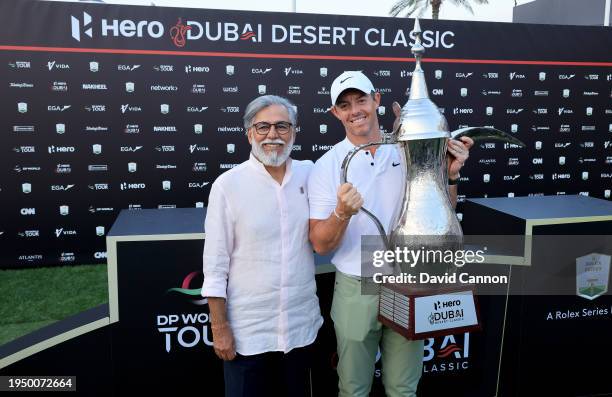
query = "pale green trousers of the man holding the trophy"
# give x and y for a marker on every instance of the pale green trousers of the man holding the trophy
(359, 336)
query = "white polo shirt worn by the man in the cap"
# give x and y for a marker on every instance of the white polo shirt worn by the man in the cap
(380, 181)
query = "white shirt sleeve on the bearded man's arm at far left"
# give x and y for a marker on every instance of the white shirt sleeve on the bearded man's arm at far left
(218, 244)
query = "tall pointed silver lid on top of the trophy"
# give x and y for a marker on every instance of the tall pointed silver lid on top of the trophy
(420, 117)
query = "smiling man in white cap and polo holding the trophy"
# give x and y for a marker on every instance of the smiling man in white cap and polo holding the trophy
(336, 224)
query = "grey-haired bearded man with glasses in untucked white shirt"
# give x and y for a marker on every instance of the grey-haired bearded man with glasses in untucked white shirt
(259, 263)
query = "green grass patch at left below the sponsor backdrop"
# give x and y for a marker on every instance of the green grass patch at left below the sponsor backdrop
(33, 298)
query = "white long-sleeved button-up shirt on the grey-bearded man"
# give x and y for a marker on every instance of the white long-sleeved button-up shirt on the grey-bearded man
(257, 256)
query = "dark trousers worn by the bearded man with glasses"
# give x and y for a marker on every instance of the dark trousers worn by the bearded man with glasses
(269, 374)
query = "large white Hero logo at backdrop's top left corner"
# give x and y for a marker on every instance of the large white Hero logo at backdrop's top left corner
(115, 27)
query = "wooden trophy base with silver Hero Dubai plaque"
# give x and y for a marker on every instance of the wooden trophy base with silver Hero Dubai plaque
(419, 313)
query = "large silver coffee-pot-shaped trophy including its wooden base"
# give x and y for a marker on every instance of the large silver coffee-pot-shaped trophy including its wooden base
(425, 215)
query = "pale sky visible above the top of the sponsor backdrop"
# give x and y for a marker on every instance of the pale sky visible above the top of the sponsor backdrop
(495, 11)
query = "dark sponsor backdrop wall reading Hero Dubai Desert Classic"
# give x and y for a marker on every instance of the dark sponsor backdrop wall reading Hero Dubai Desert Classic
(110, 107)
